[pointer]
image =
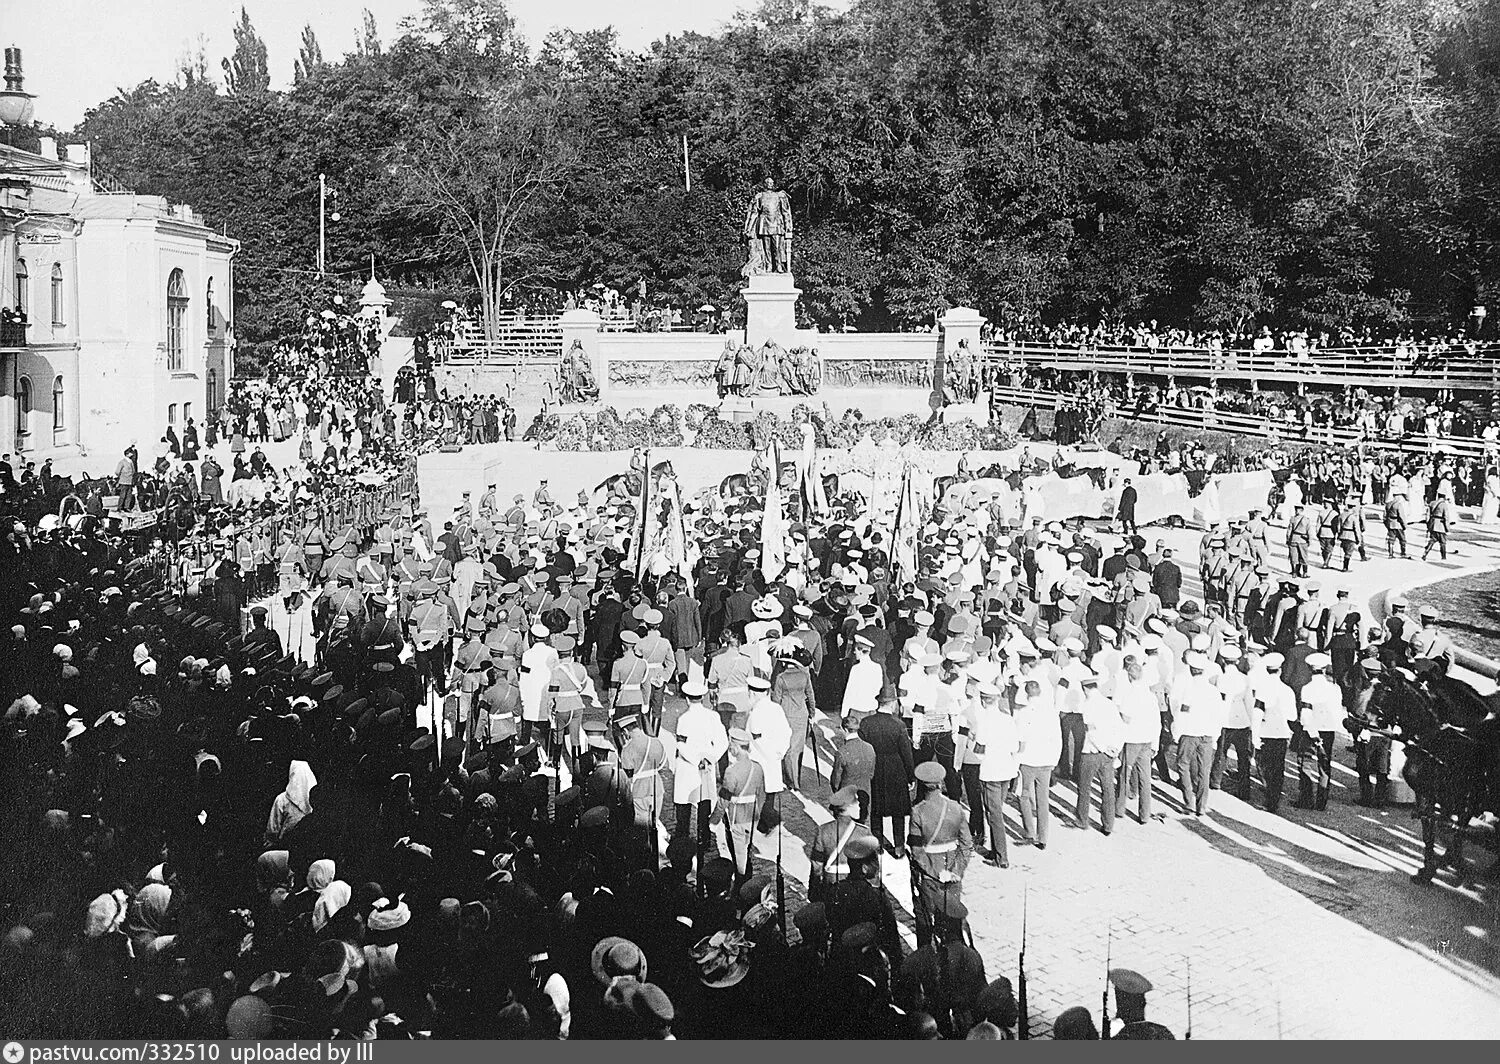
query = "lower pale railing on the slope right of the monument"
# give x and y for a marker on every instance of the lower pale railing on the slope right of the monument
(1259, 427)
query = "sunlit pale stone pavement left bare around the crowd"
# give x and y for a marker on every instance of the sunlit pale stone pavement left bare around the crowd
(1304, 925)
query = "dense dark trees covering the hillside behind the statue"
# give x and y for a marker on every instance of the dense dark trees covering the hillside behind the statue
(1303, 163)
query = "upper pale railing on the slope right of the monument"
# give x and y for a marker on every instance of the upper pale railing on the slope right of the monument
(1469, 367)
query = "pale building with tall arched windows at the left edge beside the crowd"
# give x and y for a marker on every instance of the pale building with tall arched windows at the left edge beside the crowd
(127, 302)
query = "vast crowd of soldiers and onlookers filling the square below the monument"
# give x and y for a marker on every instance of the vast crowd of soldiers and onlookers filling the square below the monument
(530, 781)
